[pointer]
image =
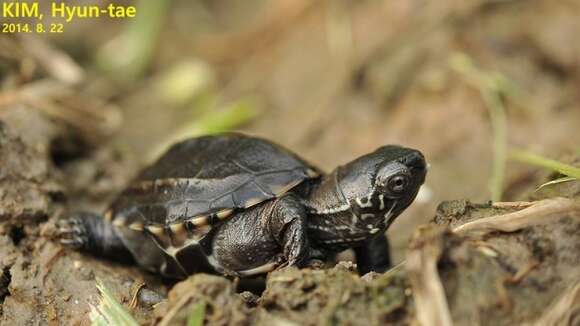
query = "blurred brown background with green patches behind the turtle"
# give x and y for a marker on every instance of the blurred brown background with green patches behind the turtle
(477, 85)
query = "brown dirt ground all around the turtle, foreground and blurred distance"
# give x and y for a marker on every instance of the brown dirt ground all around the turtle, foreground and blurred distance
(331, 81)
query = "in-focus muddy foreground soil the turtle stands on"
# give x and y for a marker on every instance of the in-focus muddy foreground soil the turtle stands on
(488, 277)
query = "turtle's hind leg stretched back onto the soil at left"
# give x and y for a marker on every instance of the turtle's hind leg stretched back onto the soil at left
(91, 233)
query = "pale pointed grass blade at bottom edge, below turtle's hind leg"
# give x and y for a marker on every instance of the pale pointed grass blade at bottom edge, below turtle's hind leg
(110, 311)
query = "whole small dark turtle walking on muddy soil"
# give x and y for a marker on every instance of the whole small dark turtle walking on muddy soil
(240, 205)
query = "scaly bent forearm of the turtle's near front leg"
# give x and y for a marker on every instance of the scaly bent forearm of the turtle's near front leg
(288, 226)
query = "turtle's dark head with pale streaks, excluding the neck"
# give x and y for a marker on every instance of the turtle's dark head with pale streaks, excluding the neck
(380, 185)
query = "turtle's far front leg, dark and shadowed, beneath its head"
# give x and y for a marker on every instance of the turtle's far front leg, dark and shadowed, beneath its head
(373, 255)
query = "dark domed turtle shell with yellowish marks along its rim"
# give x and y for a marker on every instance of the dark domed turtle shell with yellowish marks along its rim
(202, 181)
